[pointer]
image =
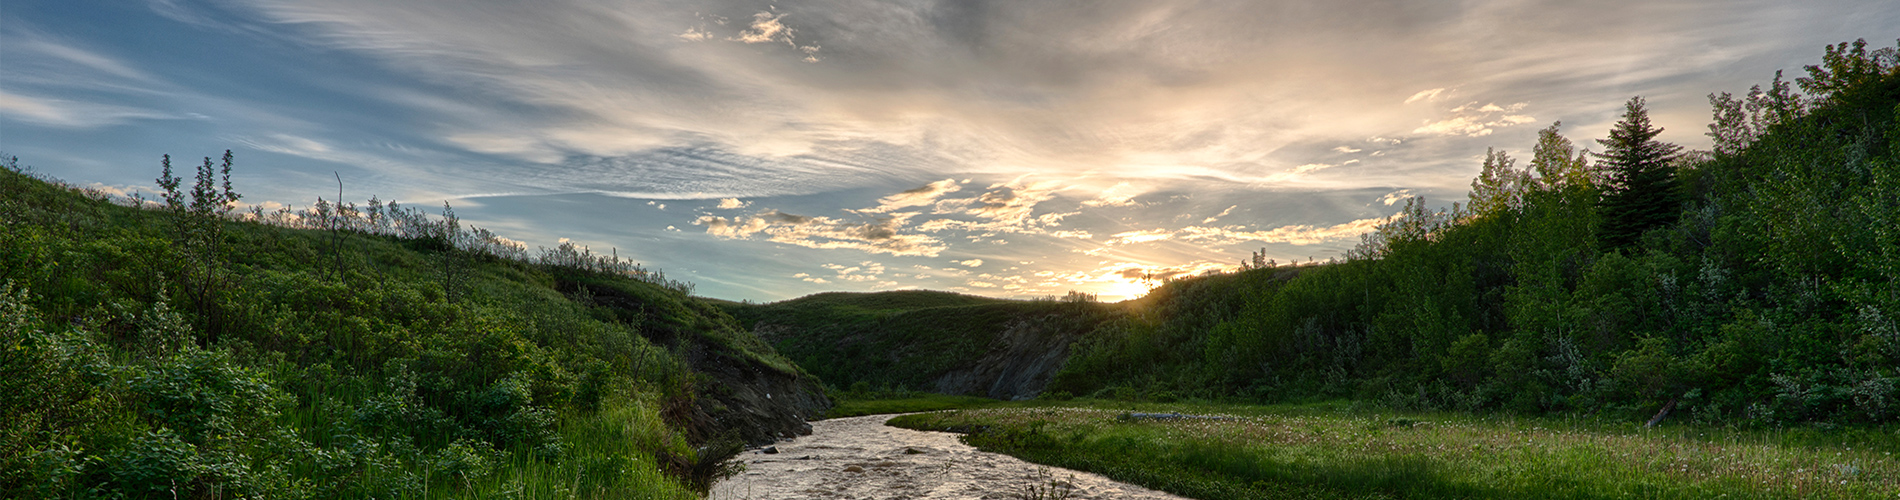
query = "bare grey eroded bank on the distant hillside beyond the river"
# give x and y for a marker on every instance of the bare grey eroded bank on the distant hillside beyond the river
(1017, 366)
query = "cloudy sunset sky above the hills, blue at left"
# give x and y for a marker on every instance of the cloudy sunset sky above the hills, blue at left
(767, 151)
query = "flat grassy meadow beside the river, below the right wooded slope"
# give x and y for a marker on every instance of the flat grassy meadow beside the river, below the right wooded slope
(1339, 452)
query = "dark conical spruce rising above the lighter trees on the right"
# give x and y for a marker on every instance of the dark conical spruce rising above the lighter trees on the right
(1641, 191)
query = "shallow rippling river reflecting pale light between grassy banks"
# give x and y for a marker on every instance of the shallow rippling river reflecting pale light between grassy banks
(862, 457)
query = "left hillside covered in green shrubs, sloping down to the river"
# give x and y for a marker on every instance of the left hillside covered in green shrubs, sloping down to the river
(164, 349)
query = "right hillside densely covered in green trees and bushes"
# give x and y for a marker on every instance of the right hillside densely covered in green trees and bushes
(1757, 284)
